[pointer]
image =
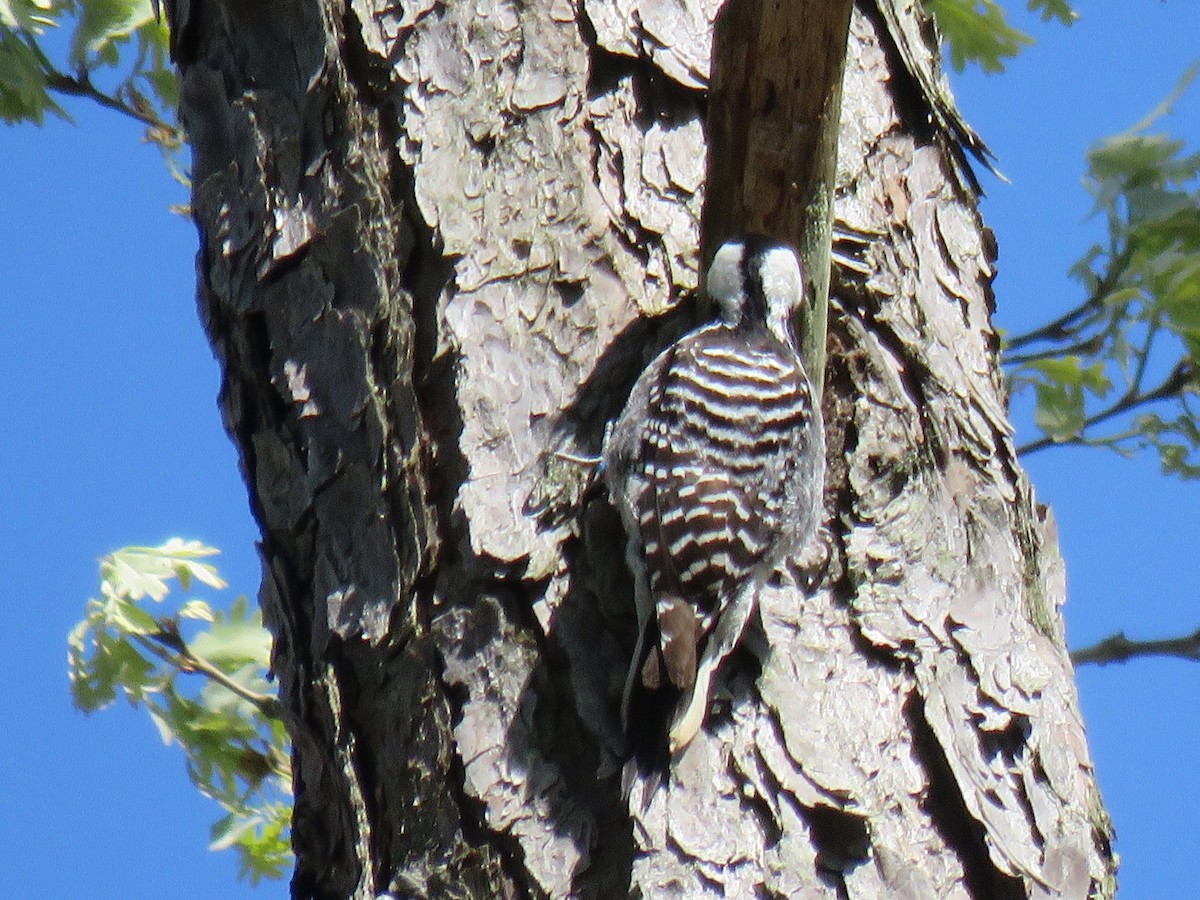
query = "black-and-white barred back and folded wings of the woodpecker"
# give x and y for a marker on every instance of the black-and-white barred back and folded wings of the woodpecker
(722, 448)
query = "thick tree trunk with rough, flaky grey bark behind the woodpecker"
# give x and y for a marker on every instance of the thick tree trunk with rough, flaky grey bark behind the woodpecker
(431, 238)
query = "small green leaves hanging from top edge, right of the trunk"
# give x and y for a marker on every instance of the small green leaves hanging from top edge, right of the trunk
(977, 32)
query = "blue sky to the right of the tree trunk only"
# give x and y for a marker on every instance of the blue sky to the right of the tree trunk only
(1130, 536)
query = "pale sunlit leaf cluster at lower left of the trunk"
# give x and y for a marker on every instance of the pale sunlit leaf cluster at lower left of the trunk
(207, 691)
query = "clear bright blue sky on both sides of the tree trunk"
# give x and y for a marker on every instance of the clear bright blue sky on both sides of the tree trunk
(115, 439)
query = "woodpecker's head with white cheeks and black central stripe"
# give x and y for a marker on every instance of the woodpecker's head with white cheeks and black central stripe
(758, 280)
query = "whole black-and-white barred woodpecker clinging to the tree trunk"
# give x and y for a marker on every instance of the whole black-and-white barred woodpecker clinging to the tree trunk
(717, 467)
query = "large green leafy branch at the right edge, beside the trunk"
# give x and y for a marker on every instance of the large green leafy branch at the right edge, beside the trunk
(1120, 369)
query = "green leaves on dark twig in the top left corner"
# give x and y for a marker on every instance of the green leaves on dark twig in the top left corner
(121, 43)
